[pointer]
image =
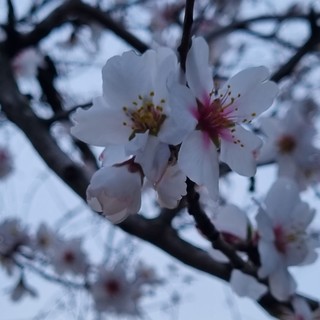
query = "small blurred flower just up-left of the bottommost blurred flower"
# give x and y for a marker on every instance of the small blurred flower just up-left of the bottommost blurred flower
(69, 257)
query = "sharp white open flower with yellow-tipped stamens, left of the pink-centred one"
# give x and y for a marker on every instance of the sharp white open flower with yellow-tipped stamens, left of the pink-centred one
(133, 111)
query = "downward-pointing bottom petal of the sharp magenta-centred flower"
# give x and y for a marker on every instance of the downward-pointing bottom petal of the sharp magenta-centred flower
(198, 159)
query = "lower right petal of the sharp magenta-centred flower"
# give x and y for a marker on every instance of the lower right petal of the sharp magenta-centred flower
(240, 156)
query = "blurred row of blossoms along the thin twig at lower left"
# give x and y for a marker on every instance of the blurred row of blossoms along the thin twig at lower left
(114, 288)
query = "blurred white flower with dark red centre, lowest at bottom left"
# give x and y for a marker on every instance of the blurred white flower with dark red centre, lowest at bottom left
(113, 292)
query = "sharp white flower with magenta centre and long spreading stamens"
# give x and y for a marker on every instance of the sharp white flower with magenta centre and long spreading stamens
(213, 118)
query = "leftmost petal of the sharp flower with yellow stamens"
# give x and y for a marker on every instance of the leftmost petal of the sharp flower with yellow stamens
(101, 125)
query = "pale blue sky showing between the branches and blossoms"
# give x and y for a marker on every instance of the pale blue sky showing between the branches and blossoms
(33, 194)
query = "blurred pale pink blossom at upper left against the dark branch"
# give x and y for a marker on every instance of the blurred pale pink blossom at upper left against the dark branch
(27, 62)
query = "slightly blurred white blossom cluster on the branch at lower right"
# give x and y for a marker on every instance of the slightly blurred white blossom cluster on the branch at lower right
(282, 235)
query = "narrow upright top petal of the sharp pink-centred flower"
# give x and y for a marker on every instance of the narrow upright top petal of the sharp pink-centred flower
(198, 73)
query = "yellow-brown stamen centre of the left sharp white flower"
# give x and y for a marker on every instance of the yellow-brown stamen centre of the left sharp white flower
(145, 115)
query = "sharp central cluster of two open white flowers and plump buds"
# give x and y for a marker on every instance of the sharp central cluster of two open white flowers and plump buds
(160, 126)
